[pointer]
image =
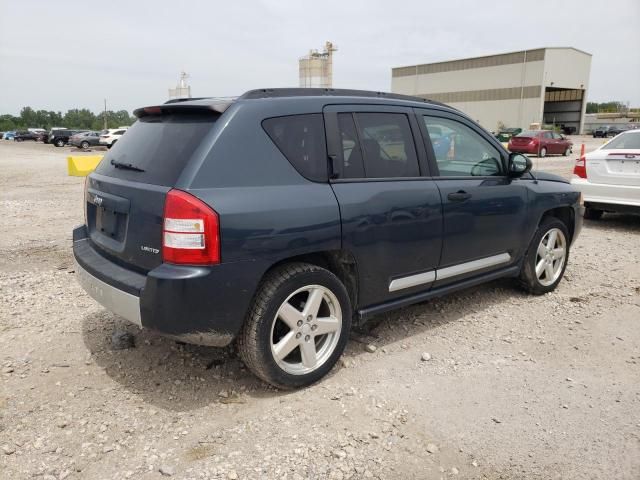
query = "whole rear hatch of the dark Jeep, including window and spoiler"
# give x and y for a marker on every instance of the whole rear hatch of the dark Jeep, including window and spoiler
(125, 195)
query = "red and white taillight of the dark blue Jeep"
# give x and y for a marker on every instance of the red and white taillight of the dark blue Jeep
(191, 231)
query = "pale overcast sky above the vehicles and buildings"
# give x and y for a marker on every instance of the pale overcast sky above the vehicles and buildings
(66, 54)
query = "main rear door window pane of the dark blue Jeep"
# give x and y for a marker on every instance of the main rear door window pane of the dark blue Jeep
(387, 143)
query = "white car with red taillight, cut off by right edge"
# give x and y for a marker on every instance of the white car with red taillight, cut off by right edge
(609, 177)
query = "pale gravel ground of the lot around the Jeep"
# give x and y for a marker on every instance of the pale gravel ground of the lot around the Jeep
(487, 383)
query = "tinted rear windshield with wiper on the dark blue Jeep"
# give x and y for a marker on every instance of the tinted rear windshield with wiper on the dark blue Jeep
(159, 145)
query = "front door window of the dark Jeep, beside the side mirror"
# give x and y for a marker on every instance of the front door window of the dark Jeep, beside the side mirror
(459, 151)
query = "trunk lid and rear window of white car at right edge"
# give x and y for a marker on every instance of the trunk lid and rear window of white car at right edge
(617, 162)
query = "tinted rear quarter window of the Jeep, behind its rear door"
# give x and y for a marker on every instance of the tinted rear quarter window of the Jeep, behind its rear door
(301, 139)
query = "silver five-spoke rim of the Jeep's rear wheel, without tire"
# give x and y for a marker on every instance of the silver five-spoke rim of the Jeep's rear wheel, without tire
(306, 329)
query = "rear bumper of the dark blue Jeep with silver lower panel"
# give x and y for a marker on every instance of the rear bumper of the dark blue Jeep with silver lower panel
(201, 305)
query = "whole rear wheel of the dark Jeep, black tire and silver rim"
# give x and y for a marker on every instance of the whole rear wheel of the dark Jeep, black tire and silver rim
(298, 326)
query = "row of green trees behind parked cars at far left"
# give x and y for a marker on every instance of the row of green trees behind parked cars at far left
(81, 119)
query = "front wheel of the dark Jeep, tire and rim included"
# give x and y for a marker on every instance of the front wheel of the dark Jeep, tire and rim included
(546, 259)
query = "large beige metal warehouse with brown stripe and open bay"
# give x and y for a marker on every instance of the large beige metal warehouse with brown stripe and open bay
(517, 89)
